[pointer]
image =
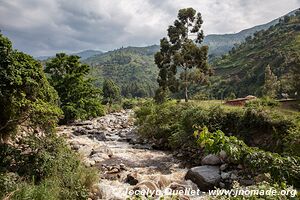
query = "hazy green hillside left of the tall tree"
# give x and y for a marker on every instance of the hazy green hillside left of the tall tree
(132, 68)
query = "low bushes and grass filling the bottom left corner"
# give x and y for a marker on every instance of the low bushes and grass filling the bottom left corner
(48, 170)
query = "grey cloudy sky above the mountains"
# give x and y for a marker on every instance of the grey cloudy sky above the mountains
(45, 27)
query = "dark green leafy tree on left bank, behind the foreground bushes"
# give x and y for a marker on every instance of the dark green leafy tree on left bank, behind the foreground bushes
(79, 98)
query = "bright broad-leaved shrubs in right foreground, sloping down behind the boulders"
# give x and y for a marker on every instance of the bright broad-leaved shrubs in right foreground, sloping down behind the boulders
(280, 167)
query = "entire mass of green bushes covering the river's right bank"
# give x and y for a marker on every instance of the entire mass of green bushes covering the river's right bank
(273, 136)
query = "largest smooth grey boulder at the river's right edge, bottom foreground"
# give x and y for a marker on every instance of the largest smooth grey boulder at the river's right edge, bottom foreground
(206, 177)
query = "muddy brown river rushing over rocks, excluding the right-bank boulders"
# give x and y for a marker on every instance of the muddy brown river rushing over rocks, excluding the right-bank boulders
(111, 144)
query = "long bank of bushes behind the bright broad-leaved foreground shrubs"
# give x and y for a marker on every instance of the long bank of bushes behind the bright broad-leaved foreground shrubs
(174, 123)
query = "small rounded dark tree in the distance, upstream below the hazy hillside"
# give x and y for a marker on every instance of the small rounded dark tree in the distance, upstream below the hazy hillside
(111, 92)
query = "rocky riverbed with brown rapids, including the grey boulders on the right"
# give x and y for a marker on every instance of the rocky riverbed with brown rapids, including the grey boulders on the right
(129, 164)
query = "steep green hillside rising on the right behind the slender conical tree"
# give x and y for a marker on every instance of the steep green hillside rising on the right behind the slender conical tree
(242, 70)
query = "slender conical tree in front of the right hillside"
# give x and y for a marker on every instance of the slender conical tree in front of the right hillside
(271, 85)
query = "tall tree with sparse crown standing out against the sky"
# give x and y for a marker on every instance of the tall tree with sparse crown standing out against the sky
(181, 50)
